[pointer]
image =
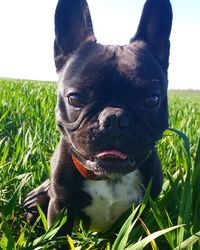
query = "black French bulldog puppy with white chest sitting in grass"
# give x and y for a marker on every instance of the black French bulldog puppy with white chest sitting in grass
(111, 110)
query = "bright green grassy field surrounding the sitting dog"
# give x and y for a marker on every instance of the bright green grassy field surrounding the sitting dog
(28, 137)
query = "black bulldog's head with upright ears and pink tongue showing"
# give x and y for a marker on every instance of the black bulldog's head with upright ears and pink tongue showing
(112, 100)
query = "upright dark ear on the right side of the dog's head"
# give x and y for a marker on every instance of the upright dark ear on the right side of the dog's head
(155, 27)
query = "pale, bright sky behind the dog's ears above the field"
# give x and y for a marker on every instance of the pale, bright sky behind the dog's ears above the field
(26, 44)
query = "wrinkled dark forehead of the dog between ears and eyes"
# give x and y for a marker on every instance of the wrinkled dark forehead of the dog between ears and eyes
(94, 62)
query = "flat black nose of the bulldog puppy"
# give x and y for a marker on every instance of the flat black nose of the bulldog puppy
(114, 119)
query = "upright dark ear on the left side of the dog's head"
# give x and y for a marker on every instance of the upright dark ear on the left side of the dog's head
(73, 26)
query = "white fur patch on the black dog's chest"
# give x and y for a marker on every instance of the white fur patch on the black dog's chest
(110, 199)
